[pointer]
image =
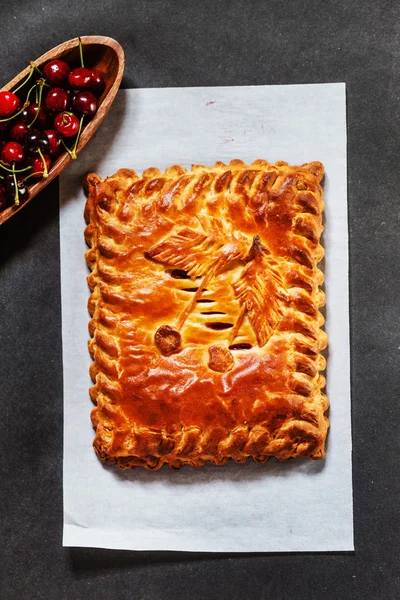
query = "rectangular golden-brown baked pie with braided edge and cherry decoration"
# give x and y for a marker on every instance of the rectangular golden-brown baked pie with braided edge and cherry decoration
(205, 326)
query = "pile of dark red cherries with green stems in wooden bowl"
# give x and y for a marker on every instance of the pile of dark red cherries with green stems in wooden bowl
(36, 126)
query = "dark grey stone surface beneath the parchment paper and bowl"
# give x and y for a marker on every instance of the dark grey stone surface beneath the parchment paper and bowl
(189, 43)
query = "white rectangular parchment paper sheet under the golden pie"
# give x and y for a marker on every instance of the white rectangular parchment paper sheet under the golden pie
(301, 505)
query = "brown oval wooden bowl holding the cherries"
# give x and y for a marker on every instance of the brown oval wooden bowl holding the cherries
(101, 53)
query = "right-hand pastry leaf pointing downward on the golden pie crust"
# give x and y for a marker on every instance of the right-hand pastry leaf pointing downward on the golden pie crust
(260, 291)
